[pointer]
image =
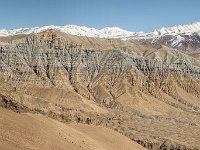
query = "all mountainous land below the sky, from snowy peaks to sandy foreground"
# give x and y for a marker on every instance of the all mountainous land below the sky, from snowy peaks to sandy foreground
(108, 89)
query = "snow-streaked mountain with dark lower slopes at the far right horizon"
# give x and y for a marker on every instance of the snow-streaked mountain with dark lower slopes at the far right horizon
(184, 37)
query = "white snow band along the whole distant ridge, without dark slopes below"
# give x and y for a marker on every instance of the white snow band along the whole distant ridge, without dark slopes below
(109, 32)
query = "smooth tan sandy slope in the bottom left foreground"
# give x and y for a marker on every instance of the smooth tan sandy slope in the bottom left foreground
(36, 132)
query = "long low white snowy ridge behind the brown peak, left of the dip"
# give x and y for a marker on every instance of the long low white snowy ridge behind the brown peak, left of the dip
(109, 32)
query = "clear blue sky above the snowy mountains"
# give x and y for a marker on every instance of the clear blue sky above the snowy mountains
(133, 15)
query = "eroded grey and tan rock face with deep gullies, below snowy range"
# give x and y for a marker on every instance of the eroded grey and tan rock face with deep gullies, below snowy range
(149, 94)
